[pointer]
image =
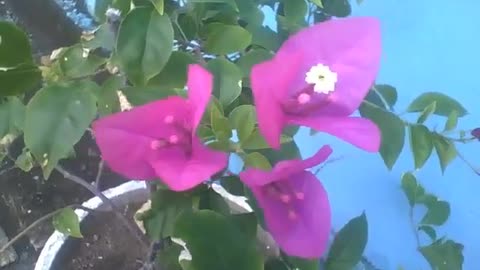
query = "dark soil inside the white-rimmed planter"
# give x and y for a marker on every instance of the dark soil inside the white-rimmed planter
(105, 246)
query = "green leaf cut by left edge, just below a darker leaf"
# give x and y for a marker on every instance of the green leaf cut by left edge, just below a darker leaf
(19, 80)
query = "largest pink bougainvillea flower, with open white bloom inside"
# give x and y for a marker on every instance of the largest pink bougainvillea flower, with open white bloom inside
(318, 78)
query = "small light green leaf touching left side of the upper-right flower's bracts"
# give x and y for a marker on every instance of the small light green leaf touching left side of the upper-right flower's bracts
(243, 118)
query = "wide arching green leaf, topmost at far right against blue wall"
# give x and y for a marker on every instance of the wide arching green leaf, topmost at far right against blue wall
(445, 104)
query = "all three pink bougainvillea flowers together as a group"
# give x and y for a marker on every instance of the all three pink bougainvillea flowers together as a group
(317, 79)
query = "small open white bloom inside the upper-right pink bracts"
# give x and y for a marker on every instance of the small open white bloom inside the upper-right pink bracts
(322, 78)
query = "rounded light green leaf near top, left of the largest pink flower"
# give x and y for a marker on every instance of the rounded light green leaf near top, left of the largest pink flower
(225, 39)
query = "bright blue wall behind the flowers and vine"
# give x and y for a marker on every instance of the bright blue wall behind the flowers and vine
(427, 46)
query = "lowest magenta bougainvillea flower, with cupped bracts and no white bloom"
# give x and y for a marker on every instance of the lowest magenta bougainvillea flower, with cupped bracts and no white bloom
(295, 204)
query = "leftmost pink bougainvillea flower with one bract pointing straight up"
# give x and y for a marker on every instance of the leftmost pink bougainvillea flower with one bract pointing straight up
(158, 139)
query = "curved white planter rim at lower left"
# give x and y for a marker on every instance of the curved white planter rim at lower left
(132, 191)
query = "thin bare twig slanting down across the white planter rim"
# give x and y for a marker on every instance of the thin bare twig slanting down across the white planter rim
(106, 201)
